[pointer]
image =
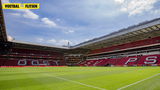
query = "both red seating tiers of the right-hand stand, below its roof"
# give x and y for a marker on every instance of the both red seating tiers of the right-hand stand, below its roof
(149, 56)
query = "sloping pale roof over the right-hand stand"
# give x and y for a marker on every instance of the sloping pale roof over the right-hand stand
(143, 27)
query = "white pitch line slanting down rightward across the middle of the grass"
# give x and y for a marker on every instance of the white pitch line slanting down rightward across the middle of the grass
(78, 82)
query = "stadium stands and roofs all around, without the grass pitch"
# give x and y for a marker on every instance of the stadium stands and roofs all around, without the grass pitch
(138, 45)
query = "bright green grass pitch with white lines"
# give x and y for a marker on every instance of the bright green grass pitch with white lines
(80, 78)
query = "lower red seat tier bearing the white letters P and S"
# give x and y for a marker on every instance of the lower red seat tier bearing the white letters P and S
(129, 61)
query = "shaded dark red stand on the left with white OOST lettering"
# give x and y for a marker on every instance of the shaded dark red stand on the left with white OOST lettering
(24, 57)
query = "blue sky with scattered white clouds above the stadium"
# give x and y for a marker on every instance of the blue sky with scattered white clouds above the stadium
(60, 21)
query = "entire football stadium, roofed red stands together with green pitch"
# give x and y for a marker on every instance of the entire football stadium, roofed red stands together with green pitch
(127, 59)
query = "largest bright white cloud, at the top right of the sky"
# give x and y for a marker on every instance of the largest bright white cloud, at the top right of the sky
(133, 7)
